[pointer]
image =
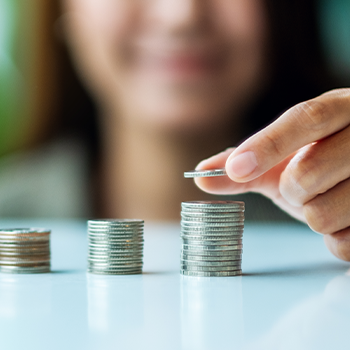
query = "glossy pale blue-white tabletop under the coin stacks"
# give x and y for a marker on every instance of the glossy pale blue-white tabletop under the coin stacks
(293, 295)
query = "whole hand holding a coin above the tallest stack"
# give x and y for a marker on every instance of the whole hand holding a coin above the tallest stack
(302, 162)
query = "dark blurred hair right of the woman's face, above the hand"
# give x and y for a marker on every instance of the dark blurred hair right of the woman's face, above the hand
(298, 68)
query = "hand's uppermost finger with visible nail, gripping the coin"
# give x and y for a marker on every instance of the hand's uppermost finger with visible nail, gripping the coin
(303, 124)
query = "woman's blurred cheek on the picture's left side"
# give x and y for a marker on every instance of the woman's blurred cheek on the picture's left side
(97, 31)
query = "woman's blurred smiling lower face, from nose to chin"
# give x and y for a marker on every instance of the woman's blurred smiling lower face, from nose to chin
(170, 64)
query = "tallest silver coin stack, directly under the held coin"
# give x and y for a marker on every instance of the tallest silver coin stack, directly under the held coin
(211, 233)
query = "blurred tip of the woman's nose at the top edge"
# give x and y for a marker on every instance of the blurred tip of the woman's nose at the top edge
(179, 16)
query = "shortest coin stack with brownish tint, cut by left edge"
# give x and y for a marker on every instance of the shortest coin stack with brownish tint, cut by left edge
(25, 250)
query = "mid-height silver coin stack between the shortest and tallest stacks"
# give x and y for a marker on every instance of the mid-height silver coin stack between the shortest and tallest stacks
(115, 246)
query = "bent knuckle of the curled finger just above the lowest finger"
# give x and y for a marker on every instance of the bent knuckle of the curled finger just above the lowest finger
(319, 216)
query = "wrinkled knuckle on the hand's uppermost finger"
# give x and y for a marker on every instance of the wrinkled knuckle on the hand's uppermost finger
(313, 115)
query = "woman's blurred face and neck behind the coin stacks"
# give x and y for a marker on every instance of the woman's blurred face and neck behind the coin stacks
(168, 77)
